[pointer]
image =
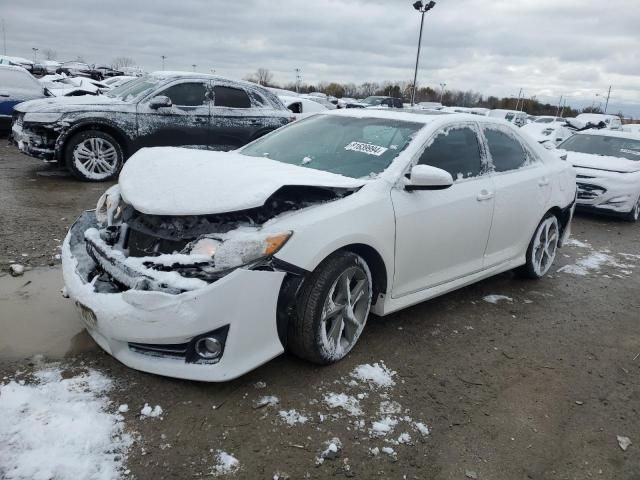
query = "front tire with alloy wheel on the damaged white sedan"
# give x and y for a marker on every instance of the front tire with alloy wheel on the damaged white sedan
(332, 309)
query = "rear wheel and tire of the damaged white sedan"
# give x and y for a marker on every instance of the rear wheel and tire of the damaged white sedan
(542, 248)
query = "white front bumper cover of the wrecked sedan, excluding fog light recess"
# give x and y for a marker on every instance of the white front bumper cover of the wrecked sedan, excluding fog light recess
(245, 301)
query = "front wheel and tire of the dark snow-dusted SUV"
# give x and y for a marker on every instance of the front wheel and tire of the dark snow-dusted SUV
(94, 156)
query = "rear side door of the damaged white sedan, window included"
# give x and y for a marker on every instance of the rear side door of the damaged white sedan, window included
(523, 189)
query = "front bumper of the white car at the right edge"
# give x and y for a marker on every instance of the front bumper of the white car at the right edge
(608, 191)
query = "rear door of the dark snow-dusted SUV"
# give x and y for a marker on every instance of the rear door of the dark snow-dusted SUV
(234, 119)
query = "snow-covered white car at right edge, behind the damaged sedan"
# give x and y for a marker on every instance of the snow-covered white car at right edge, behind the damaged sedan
(607, 164)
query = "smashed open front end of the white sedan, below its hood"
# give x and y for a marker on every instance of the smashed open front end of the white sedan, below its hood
(126, 249)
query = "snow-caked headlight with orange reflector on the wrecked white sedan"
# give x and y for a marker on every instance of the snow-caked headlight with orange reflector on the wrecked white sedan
(239, 248)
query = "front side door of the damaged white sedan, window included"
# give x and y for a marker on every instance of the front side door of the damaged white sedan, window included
(441, 235)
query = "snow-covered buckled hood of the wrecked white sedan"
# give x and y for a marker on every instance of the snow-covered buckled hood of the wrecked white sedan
(178, 181)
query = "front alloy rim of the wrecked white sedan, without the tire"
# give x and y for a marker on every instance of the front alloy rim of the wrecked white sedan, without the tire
(345, 311)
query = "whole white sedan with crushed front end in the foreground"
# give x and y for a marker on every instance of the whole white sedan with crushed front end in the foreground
(204, 265)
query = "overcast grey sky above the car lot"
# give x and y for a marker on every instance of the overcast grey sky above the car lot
(575, 48)
